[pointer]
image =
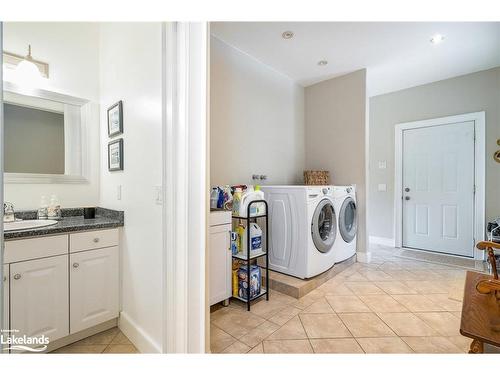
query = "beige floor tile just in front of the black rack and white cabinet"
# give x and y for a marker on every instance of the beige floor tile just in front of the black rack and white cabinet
(235, 322)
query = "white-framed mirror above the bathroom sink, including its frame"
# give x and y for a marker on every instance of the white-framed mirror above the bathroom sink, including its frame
(45, 136)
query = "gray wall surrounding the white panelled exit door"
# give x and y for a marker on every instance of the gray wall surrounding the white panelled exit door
(469, 93)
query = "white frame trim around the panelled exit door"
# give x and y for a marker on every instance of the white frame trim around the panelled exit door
(479, 119)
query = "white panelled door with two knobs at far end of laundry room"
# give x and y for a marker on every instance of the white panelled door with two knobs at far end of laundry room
(438, 188)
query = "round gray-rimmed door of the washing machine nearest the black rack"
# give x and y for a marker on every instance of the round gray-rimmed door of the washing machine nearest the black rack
(324, 226)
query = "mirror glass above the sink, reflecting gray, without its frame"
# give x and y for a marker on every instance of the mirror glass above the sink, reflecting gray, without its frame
(34, 140)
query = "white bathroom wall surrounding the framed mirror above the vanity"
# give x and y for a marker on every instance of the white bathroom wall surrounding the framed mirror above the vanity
(72, 51)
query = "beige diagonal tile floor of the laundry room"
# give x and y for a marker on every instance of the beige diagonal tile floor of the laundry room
(392, 305)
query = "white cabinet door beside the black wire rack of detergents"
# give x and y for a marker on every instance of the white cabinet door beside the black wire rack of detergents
(220, 263)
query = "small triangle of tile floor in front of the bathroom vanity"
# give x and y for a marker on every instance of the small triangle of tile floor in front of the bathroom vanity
(110, 341)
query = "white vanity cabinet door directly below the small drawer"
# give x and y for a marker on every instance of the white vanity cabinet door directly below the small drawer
(94, 285)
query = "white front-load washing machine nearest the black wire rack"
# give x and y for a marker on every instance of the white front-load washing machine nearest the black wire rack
(302, 229)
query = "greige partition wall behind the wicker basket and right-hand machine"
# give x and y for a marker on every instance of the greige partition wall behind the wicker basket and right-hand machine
(335, 135)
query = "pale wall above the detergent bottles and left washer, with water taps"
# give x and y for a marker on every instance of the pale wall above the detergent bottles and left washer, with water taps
(256, 120)
